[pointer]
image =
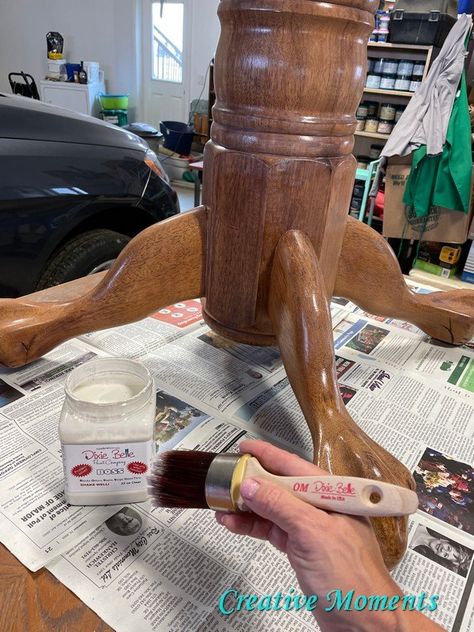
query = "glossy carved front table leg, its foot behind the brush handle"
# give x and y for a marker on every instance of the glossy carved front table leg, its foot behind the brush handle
(299, 311)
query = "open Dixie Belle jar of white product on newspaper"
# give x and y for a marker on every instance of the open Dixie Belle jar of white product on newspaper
(106, 432)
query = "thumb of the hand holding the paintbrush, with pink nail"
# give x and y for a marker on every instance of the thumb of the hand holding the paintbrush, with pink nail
(278, 505)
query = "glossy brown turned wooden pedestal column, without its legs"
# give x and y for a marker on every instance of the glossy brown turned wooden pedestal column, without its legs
(288, 79)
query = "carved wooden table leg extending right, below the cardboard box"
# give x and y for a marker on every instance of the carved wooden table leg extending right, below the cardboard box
(369, 275)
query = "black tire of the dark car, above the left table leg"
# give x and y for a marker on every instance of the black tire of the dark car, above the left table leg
(81, 256)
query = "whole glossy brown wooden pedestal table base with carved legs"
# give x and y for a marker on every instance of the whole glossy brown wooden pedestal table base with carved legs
(273, 241)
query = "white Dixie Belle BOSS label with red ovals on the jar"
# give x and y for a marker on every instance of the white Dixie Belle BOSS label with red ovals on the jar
(108, 467)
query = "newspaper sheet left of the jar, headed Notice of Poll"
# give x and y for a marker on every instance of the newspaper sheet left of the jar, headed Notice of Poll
(36, 523)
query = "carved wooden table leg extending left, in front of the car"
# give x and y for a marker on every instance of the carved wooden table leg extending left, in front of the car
(161, 265)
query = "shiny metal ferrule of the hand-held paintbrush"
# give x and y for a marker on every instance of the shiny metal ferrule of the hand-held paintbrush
(223, 481)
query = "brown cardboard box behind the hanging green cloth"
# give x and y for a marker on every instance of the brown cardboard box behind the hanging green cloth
(442, 225)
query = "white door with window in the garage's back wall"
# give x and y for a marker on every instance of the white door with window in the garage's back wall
(166, 52)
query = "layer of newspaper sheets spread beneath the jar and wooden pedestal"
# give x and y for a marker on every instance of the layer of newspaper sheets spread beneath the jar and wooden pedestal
(412, 396)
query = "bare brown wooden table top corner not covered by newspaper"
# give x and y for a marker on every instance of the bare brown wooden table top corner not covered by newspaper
(38, 602)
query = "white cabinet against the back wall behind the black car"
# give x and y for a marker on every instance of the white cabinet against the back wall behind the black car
(73, 96)
